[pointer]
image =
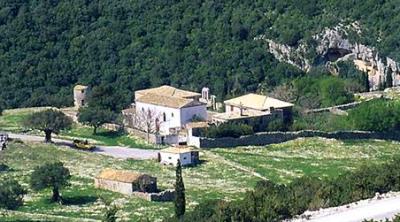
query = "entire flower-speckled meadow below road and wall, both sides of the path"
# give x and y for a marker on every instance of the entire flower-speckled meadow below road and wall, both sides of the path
(213, 179)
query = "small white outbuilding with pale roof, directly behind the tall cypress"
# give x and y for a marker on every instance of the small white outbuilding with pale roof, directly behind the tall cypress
(171, 155)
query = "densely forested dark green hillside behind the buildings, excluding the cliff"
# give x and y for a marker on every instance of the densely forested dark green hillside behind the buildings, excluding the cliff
(48, 46)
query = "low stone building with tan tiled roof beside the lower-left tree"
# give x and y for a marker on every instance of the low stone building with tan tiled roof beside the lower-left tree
(125, 182)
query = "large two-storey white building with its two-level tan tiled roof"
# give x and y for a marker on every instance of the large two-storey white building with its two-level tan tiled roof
(171, 108)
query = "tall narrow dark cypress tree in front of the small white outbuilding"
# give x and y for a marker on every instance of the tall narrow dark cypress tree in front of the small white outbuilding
(179, 202)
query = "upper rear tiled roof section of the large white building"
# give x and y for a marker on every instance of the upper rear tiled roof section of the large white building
(168, 91)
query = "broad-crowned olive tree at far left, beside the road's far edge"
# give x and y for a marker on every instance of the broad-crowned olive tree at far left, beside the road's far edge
(49, 121)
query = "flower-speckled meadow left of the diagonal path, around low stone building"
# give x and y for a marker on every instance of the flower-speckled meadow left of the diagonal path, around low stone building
(210, 180)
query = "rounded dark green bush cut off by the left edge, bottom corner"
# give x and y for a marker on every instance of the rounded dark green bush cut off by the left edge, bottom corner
(11, 194)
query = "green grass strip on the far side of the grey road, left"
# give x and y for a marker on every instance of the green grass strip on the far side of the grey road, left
(13, 121)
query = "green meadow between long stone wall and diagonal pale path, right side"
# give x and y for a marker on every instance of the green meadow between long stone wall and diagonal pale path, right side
(312, 156)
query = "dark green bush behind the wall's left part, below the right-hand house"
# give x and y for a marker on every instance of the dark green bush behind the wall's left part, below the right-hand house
(228, 130)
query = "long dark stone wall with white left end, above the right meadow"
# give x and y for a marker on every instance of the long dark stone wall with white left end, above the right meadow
(265, 138)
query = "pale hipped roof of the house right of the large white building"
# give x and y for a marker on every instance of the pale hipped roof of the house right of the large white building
(259, 102)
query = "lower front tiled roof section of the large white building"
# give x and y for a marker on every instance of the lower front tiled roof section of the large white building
(167, 101)
